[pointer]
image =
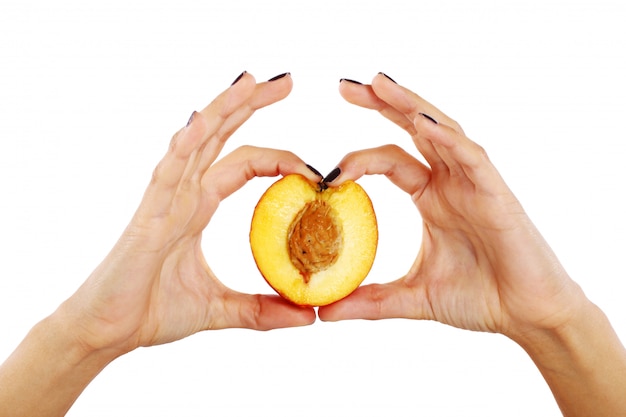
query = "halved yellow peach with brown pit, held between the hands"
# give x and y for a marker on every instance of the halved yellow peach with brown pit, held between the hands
(314, 244)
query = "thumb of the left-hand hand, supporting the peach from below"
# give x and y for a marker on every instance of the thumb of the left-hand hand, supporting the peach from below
(262, 312)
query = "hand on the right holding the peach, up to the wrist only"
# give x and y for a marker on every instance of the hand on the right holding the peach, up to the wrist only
(482, 263)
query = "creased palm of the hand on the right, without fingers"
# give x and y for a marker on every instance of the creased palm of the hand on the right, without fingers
(453, 270)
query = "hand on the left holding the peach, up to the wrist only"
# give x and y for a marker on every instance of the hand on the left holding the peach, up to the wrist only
(155, 286)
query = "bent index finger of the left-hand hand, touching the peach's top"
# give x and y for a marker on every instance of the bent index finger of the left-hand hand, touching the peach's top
(231, 172)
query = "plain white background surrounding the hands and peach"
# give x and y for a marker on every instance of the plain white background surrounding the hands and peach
(90, 94)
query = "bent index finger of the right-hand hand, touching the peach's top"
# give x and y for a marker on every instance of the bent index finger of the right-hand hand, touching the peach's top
(390, 160)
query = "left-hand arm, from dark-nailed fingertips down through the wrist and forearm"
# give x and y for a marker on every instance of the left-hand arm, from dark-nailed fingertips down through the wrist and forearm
(155, 285)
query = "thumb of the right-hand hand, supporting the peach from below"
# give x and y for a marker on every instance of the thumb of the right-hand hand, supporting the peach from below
(375, 302)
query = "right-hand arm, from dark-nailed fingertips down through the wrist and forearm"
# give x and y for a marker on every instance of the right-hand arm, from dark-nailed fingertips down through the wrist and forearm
(482, 264)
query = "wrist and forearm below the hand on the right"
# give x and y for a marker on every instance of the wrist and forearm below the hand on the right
(583, 362)
